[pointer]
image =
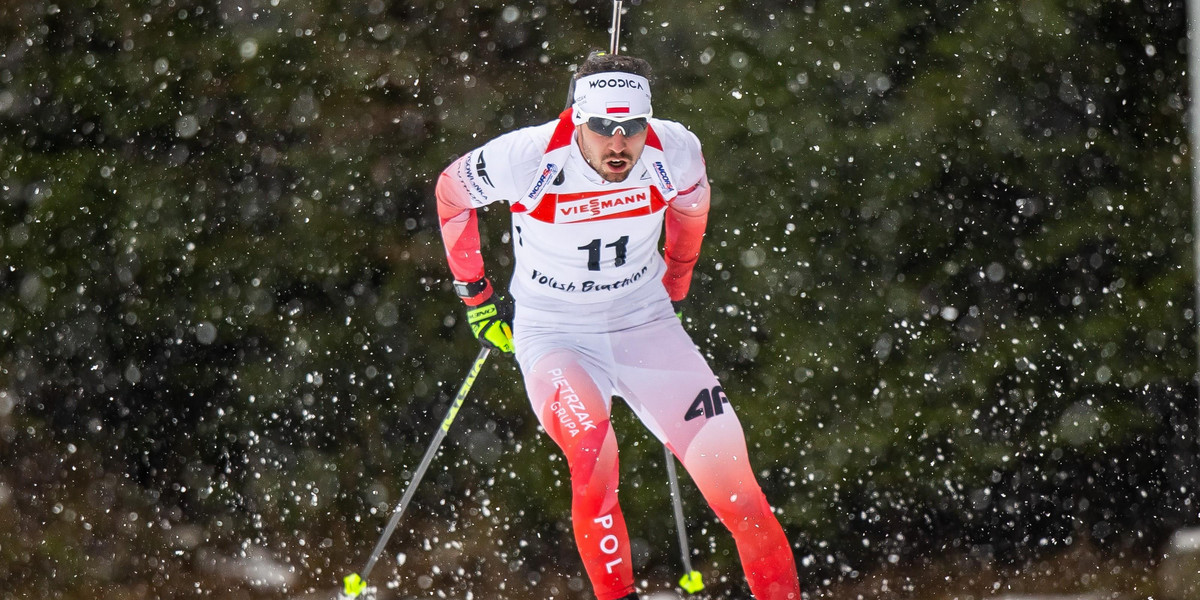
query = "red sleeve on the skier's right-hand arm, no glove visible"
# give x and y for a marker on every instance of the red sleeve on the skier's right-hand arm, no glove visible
(686, 220)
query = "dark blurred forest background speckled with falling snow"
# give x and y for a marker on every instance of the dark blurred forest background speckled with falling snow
(947, 284)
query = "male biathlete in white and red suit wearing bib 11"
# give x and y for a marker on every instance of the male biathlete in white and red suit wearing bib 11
(590, 196)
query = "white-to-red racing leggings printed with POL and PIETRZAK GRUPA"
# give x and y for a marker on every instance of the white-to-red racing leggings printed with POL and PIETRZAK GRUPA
(674, 392)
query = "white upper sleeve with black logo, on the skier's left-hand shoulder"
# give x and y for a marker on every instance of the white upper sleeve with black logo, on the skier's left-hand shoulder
(503, 170)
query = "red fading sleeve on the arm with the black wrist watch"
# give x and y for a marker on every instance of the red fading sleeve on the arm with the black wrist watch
(460, 232)
